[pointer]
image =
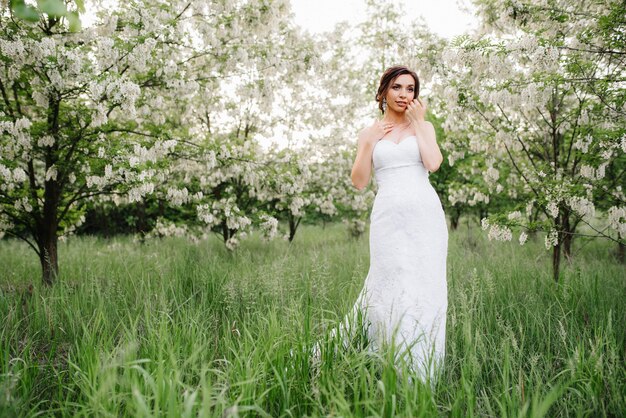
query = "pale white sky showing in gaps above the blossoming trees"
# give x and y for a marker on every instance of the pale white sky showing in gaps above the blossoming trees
(443, 17)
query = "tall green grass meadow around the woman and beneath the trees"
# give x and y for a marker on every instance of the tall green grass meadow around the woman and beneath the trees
(177, 329)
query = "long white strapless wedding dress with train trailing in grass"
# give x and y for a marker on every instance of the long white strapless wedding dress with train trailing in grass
(405, 296)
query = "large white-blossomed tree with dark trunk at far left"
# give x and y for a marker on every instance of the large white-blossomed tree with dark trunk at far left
(96, 113)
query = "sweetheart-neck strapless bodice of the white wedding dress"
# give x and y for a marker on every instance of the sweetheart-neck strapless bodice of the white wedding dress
(398, 165)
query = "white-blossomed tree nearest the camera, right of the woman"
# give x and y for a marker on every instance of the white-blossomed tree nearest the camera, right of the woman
(538, 93)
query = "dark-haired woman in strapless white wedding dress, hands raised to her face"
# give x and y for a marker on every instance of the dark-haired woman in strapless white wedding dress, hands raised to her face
(404, 299)
